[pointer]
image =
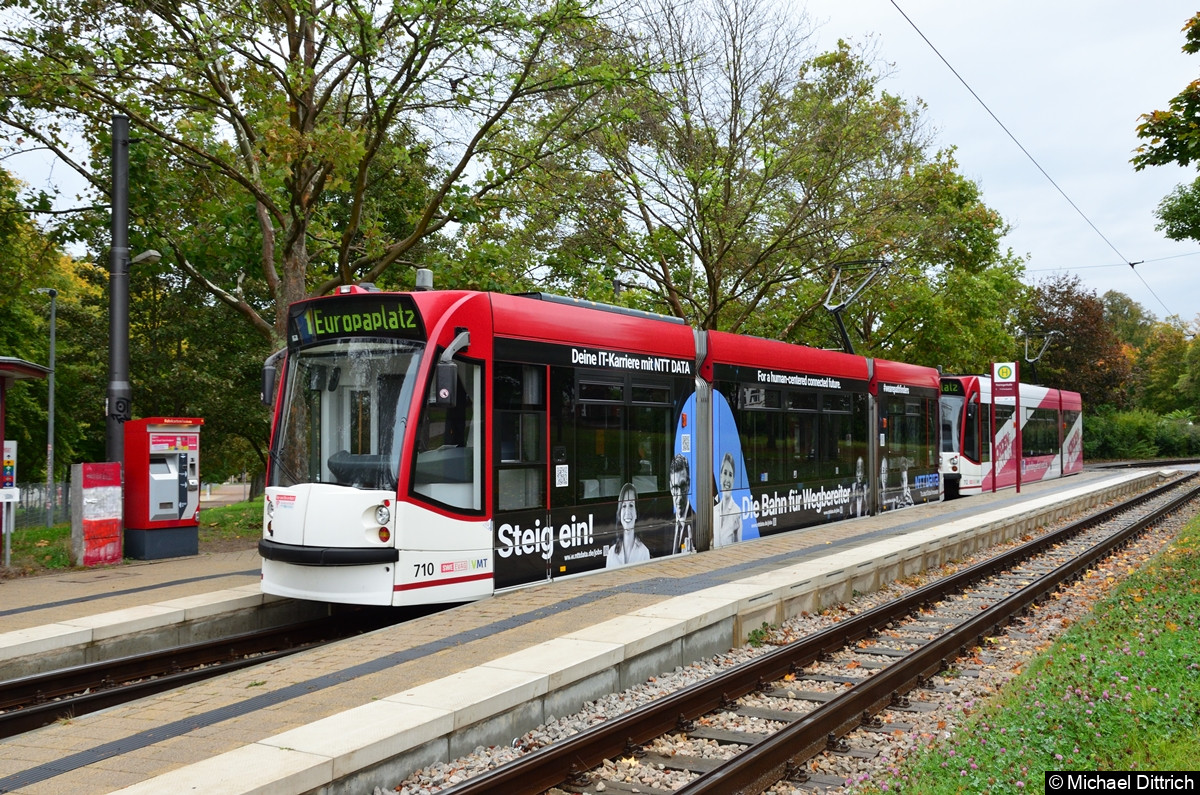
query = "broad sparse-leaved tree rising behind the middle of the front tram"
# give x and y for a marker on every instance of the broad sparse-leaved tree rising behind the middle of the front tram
(752, 170)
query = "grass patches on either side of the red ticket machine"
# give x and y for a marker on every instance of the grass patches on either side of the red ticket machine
(39, 551)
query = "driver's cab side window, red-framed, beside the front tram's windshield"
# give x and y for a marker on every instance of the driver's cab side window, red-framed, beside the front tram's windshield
(448, 468)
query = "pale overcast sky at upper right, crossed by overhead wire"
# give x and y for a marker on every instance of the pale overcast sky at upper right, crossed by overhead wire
(1070, 82)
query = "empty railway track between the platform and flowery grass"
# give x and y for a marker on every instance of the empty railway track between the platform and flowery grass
(839, 680)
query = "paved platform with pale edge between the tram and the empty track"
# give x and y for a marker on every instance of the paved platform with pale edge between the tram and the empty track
(367, 712)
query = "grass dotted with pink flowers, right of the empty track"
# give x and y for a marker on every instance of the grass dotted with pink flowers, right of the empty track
(1119, 691)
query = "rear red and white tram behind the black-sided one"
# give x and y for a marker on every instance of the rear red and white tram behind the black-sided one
(1052, 435)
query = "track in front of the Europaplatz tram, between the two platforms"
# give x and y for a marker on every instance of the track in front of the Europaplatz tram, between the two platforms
(34, 702)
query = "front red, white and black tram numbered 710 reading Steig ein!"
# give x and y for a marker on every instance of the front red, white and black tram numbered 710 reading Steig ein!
(439, 446)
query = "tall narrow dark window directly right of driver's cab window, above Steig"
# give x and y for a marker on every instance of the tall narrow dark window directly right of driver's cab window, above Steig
(520, 397)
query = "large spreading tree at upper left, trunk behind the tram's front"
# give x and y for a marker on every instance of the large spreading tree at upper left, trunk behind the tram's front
(309, 119)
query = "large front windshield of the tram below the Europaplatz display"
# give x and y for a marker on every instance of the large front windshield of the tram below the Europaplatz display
(345, 414)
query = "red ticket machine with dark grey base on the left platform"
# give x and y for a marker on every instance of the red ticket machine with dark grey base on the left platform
(163, 487)
